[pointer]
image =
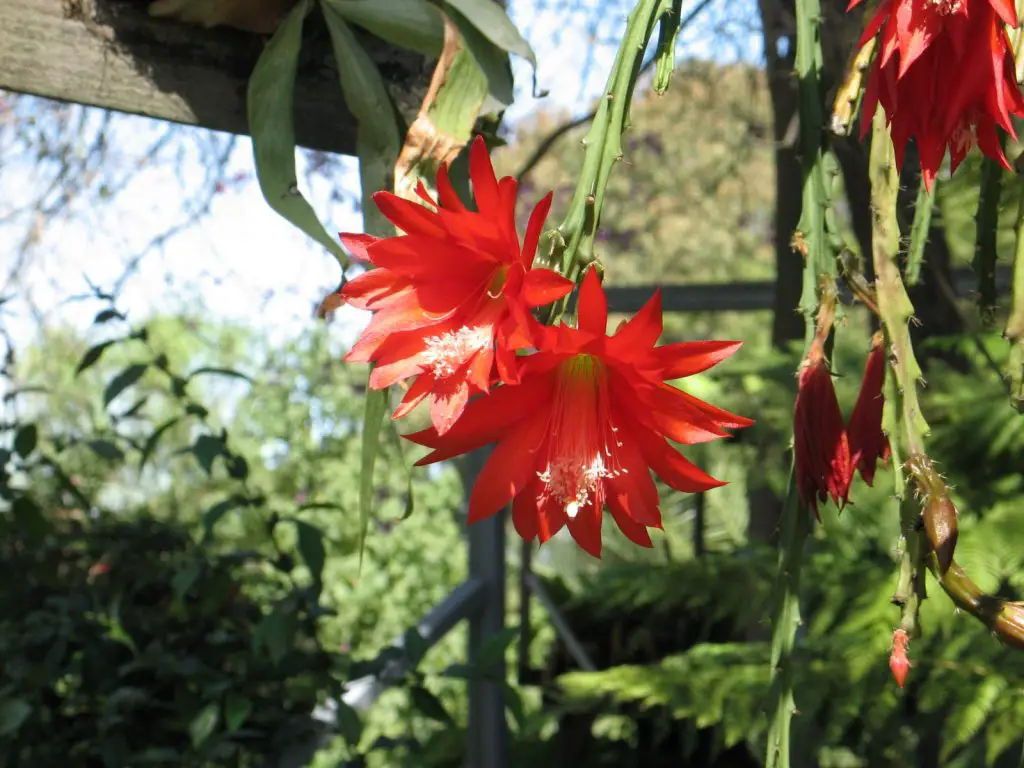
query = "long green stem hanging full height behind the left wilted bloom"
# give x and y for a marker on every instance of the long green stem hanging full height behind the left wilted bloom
(810, 242)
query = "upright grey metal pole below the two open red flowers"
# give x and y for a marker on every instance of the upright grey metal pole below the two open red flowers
(487, 734)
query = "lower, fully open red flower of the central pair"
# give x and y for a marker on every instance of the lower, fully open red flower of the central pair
(586, 426)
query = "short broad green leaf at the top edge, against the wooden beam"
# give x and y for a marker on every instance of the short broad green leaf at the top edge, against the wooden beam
(409, 24)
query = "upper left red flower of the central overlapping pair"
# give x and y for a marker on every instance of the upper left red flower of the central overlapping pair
(452, 297)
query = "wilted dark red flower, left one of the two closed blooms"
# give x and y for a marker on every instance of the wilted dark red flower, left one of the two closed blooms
(821, 448)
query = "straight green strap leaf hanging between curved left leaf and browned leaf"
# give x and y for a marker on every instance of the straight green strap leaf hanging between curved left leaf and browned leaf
(379, 138)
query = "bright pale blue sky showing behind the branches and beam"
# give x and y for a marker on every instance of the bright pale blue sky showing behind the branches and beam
(242, 262)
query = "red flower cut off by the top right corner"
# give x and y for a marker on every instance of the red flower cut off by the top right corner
(945, 76)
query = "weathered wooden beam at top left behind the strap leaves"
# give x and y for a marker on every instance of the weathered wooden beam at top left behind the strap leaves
(110, 54)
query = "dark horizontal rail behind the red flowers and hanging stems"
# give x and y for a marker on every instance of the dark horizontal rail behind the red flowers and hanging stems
(750, 296)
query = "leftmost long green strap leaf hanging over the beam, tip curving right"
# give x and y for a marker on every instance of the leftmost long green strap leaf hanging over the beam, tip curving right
(272, 91)
